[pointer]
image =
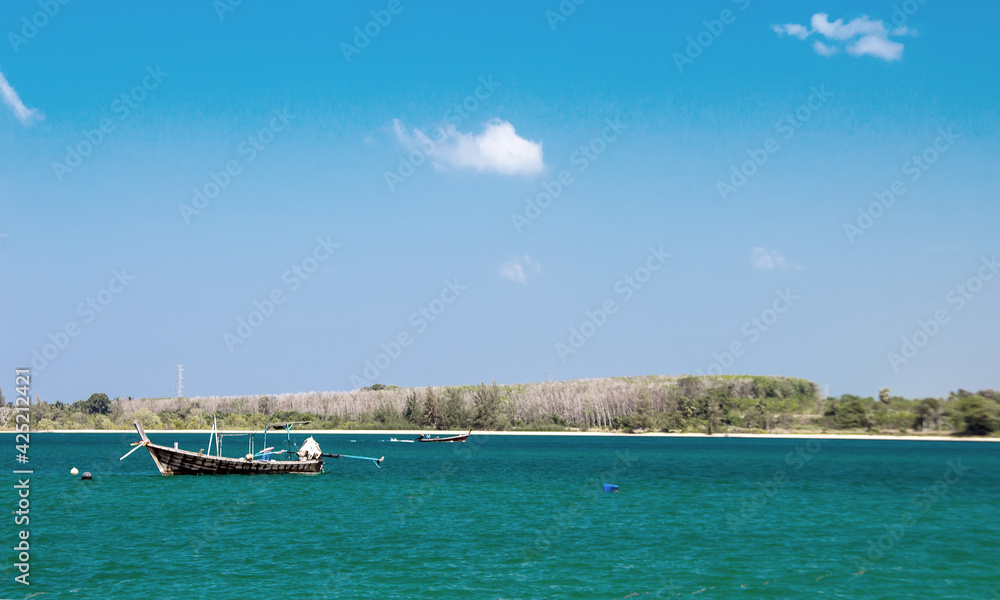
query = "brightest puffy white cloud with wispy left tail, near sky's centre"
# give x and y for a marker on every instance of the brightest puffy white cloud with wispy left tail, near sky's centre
(498, 149)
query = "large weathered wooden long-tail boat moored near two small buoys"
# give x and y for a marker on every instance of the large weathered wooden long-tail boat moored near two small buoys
(174, 461)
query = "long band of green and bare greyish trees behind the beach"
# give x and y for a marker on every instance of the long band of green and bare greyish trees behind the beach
(707, 404)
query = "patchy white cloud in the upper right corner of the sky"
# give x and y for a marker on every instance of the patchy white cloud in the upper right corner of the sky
(861, 37)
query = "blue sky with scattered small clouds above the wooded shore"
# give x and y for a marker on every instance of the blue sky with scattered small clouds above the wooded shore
(303, 152)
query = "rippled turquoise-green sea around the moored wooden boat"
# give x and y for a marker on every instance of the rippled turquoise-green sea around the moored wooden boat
(518, 517)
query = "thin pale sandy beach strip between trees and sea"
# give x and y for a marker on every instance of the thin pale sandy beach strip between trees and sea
(415, 432)
